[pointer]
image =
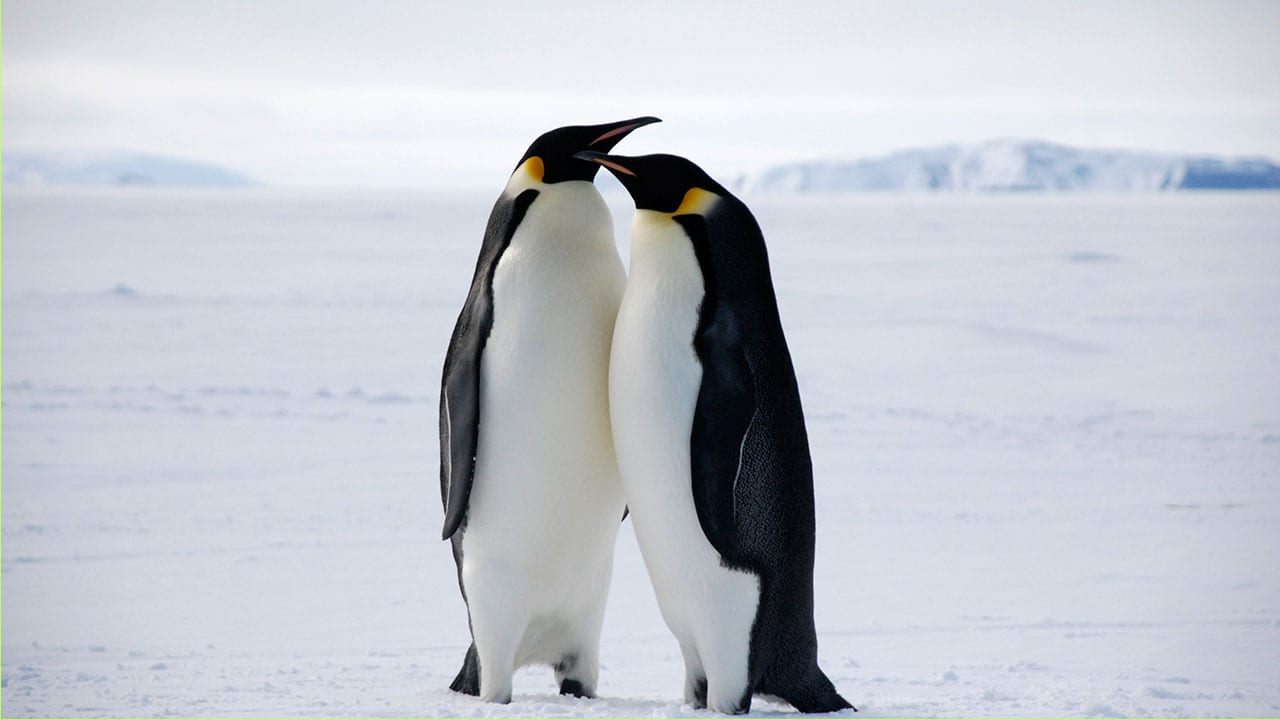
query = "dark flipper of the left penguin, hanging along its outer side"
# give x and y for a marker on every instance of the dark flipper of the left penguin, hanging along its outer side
(460, 388)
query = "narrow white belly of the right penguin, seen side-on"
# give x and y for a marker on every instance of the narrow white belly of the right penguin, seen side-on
(653, 389)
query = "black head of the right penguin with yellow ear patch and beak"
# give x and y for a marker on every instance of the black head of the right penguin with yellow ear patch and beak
(665, 184)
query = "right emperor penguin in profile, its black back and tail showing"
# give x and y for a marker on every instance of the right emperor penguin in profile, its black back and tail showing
(712, 445)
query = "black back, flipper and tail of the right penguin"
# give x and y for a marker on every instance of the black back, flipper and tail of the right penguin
(751, 466)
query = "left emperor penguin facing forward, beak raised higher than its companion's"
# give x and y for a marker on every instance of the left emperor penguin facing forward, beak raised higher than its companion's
(528, 472)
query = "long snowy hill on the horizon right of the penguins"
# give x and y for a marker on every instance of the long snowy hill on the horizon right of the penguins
(1018, 166)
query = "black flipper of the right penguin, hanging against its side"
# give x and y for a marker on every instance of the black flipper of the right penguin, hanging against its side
(723, 418)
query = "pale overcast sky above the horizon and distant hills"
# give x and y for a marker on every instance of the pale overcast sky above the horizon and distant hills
(450, 94)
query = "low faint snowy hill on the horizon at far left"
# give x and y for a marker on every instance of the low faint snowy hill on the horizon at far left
(117, 168)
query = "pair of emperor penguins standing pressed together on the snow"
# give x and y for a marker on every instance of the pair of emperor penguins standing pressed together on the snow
(573, 393)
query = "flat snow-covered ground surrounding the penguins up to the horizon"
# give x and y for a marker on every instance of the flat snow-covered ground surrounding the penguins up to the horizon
(1046, 435)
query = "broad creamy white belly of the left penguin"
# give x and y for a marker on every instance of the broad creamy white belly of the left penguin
(546, 503)
